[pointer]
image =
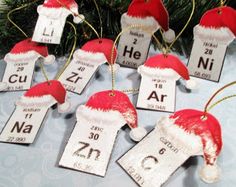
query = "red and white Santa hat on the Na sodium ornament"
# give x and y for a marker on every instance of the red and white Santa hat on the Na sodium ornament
(46, 93)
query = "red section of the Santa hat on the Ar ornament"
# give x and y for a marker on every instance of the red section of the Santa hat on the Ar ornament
(170, 61)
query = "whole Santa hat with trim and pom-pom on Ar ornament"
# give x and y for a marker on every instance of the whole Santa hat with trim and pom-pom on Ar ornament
(168, 66)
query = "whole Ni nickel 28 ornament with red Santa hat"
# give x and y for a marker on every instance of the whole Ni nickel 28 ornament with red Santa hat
(216, 30)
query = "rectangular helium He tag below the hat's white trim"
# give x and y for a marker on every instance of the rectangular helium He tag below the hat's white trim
(133, 48)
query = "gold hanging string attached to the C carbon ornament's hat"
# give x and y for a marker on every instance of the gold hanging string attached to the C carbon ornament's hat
(207, 107)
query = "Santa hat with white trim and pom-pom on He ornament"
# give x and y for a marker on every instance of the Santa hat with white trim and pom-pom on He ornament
(150, 12)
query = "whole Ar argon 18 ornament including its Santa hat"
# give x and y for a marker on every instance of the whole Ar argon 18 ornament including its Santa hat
(158, 85)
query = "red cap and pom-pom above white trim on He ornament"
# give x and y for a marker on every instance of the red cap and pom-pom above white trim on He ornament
(152, 8)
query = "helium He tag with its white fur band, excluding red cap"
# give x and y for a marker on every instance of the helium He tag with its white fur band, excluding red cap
(134, 44)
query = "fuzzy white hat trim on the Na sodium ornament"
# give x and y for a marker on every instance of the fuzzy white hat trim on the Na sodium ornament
(36, 101)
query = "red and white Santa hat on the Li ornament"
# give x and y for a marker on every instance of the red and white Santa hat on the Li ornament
(56, 8)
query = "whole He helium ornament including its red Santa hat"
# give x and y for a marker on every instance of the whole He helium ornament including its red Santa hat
(144, 18)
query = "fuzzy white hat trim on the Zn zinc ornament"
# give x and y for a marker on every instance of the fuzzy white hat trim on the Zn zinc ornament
(94, 114)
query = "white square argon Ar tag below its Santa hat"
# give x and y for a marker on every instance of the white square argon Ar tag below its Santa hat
(157, 94)
